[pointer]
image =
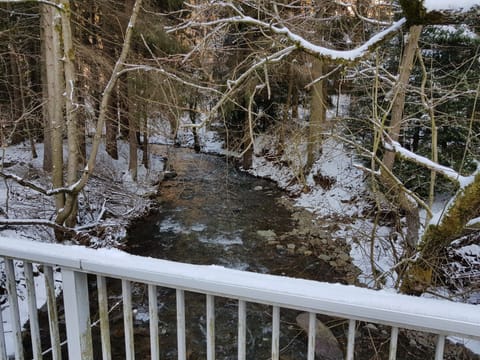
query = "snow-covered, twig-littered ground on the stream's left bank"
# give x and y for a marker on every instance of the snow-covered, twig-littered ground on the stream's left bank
(109, 200)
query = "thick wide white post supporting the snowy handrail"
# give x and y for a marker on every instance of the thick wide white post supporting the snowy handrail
(77, 314)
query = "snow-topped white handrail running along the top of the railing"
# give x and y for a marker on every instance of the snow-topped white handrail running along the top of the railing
(385, 307)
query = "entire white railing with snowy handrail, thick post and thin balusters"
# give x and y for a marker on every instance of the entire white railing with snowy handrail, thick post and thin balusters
(75, 263)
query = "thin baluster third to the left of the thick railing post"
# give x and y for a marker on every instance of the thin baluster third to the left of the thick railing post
(14, 312)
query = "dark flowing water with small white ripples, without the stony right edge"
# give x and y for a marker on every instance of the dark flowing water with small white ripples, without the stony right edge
(211, 213)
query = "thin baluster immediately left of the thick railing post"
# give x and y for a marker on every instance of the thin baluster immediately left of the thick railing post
(52, 313)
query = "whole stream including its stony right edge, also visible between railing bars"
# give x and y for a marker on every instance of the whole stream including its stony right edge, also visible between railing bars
(212, 213)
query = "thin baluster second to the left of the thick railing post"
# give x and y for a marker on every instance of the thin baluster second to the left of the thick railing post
(32, 310)
